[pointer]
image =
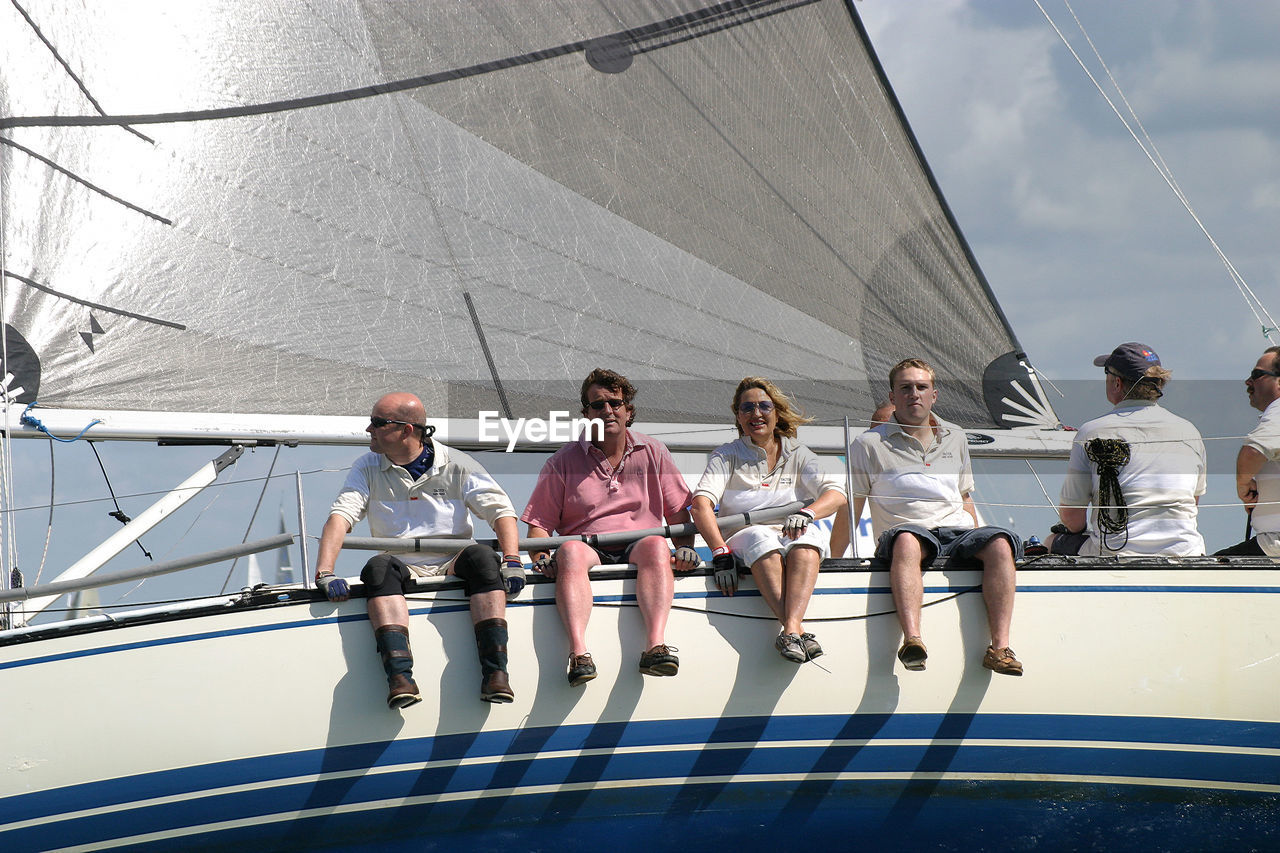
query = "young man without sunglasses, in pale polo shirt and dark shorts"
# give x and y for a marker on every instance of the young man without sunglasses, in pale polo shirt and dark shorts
(916, 472)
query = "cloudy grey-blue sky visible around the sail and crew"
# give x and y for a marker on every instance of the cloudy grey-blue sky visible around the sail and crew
(1081, 239)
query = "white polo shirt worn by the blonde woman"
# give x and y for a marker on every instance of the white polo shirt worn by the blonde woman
(739, 480)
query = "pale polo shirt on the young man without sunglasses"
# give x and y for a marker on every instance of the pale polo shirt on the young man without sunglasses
(907, 483)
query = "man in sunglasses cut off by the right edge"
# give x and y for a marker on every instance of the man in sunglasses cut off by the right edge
(1258, 466)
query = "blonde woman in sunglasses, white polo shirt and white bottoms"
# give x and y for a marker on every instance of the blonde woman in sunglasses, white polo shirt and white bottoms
(767, 468)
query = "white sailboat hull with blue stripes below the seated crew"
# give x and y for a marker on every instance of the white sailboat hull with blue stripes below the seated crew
(1149, 709)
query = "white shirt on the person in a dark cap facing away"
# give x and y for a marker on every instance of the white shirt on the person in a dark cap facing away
(1160, 483)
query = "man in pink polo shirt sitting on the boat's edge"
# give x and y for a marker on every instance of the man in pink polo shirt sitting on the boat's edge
(623, 482)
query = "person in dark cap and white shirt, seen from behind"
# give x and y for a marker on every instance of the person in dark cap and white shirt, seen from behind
(1140, 466)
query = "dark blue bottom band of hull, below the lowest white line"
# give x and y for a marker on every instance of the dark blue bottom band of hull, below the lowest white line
(863, 815)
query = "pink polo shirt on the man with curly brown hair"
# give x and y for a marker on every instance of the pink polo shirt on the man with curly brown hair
(579, 491)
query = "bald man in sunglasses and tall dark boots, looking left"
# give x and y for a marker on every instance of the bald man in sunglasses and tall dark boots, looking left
(414, 487)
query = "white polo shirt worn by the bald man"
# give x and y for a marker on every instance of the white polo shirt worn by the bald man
(433, 507)
